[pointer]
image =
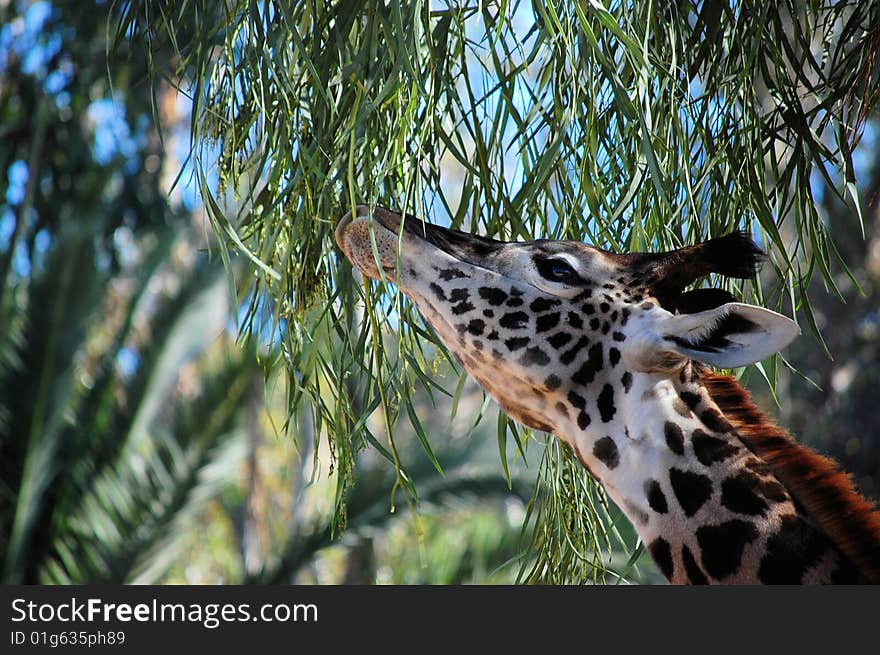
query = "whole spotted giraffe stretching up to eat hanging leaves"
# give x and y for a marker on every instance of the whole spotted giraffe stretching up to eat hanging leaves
(612, 355)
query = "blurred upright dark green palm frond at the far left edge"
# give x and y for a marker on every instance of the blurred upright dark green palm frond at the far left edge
(40, 392)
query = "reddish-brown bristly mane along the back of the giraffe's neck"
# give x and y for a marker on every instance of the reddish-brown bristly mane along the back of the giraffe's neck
(817, 483)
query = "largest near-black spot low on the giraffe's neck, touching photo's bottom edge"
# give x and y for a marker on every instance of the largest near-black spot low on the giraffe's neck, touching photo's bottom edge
(793, 549)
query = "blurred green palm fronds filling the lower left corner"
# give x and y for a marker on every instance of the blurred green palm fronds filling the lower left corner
(104, 454)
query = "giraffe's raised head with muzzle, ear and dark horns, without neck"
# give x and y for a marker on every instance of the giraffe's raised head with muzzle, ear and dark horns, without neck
(552, 328)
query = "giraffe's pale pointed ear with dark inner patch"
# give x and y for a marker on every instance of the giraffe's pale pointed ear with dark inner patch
(732, 335)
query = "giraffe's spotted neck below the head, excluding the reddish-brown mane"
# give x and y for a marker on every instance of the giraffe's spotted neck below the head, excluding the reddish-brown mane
(708, 508)
